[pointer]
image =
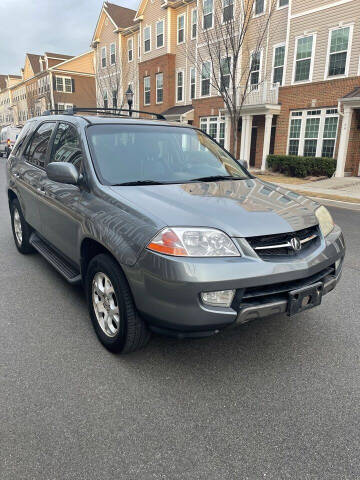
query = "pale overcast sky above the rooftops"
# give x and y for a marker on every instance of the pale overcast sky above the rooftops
(38, 26)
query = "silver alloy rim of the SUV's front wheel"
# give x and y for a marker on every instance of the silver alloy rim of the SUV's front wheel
(105, 304)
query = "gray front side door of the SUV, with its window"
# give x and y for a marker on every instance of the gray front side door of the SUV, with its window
(61, 212)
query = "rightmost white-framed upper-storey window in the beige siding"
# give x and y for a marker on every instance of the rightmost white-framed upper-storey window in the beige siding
(338, 52)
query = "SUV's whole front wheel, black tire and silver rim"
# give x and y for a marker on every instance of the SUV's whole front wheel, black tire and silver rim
(112, 310)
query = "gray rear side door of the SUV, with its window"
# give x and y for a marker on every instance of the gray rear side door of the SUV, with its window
(30, 172)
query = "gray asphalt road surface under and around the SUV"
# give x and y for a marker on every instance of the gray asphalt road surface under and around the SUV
(274, 399)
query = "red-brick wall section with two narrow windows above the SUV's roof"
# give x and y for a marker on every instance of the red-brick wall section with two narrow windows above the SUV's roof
(166, 65)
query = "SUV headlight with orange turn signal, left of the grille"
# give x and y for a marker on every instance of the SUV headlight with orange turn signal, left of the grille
(193, 242)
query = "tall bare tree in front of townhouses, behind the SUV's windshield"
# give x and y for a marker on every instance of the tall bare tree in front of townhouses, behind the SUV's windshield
(228, 55)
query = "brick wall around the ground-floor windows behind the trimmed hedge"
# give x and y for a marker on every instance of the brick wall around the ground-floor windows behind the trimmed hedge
(316, 95)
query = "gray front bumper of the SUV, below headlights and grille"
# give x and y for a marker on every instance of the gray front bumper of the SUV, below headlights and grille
(167, 289)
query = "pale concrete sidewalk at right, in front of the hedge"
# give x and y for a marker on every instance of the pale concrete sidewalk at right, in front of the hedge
(342, 189)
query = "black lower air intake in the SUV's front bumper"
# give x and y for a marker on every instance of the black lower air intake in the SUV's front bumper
(278, 291)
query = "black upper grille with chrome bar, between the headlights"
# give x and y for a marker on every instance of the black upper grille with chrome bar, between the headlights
(268, 246)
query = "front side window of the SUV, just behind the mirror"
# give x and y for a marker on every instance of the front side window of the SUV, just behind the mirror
(66, 147)
